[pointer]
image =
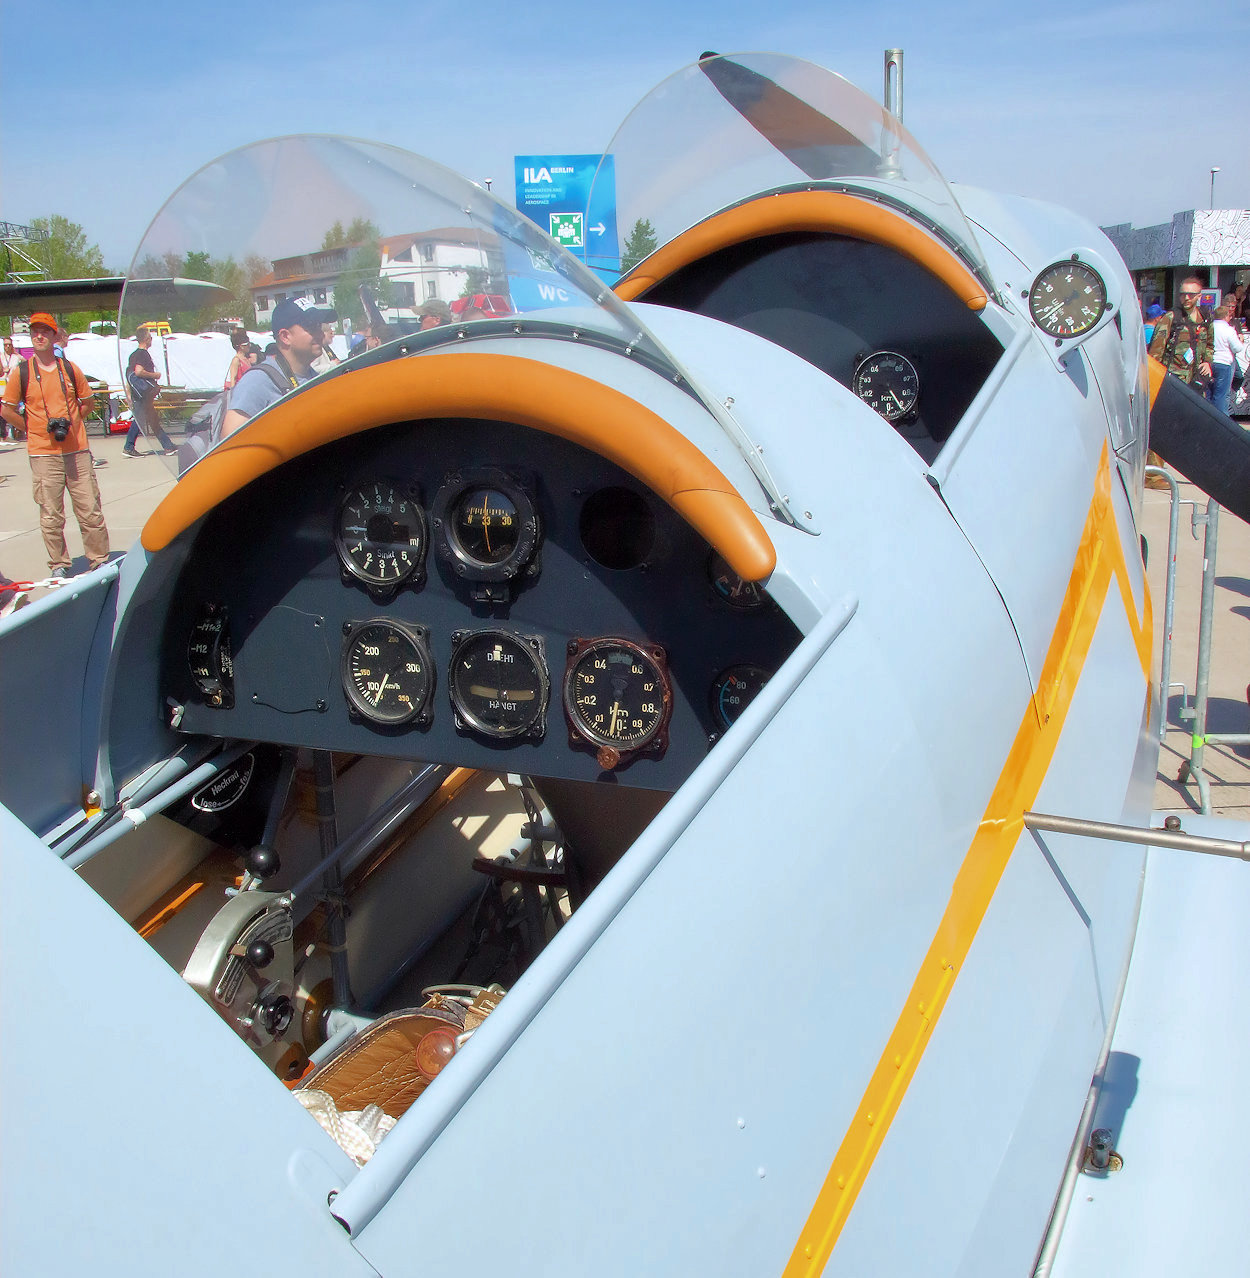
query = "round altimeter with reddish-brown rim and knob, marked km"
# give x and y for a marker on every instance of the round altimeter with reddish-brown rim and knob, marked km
(618, 698)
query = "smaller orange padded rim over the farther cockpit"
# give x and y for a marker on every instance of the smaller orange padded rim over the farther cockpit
(829, 212)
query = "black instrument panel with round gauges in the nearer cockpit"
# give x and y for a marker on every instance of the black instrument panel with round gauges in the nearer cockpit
(472, 594)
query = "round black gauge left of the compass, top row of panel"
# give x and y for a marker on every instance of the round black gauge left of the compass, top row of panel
(380, 534)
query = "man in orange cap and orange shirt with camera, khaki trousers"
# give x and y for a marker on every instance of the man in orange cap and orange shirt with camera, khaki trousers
(56, 396)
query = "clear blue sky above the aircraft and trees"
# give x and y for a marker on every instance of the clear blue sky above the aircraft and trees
(1116, 111)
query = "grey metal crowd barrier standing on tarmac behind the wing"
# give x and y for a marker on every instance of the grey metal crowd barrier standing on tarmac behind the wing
(1193, 711)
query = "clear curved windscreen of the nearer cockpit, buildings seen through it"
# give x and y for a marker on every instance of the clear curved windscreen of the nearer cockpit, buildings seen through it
(376, 242)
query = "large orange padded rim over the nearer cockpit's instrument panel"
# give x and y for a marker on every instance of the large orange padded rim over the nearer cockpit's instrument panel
(497, 388)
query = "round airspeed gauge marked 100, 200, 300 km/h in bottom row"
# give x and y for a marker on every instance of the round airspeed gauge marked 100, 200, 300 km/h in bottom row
(387, 672)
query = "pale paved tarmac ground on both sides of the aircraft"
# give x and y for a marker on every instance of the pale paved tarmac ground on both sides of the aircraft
(134, 488)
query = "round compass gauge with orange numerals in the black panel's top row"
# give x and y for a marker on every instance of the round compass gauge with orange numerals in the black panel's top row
(486, 531)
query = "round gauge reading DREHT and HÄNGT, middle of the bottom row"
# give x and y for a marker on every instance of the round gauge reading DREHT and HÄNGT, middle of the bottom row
(499, 683)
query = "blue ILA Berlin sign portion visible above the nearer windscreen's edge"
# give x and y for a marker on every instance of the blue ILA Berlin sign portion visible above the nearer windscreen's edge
(557, 194)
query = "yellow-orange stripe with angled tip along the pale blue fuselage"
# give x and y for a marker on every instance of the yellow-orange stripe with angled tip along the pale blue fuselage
(1100, 558)
